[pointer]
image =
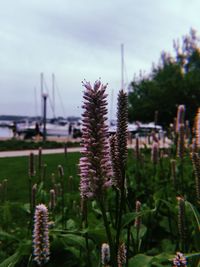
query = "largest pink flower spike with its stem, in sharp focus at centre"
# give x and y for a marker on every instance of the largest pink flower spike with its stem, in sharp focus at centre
(95, 164)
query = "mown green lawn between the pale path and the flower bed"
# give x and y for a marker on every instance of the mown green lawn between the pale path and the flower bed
(16, 171)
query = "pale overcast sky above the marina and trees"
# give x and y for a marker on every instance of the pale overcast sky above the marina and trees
(77, 39)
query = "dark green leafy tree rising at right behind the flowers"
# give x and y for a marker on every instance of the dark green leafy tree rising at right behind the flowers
(173, 81)
